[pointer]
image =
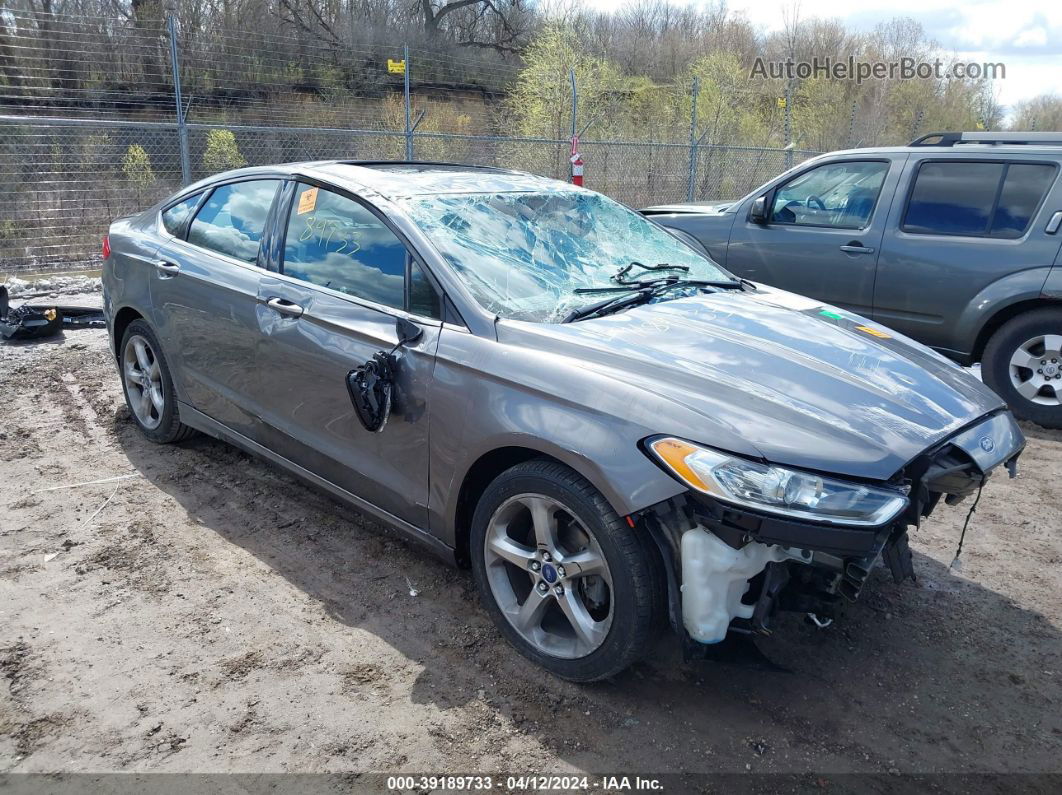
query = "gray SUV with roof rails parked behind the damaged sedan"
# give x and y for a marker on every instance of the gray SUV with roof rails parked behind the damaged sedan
(953, 240)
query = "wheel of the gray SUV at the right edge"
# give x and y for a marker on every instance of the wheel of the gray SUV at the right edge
(1023, 364)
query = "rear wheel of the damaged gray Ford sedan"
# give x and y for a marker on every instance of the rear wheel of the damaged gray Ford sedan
(148, 386)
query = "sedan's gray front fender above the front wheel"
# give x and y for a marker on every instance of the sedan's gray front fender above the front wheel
(487, 396)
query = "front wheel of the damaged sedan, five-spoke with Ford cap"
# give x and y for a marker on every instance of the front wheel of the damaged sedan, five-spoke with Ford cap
(572, 585)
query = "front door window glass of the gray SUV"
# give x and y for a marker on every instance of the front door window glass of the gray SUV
(837, 195)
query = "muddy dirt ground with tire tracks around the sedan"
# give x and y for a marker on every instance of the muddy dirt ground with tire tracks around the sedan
(201, 611)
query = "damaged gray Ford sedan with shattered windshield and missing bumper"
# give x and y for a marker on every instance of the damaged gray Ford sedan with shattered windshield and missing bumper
(614, 433)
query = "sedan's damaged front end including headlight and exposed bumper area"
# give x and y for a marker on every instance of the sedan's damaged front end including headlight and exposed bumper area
(733, 567)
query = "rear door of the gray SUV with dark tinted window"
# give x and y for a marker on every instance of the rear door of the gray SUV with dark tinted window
(960, 226)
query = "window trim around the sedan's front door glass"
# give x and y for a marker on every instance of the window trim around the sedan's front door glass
(283, 217)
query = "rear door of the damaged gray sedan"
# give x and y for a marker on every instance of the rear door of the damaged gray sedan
(205, 292)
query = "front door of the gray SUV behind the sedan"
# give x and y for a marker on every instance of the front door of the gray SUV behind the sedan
(823, 233)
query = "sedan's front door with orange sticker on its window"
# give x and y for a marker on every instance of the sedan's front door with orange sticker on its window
(344, 280)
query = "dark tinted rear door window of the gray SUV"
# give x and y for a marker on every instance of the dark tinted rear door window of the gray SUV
(980, 200)
